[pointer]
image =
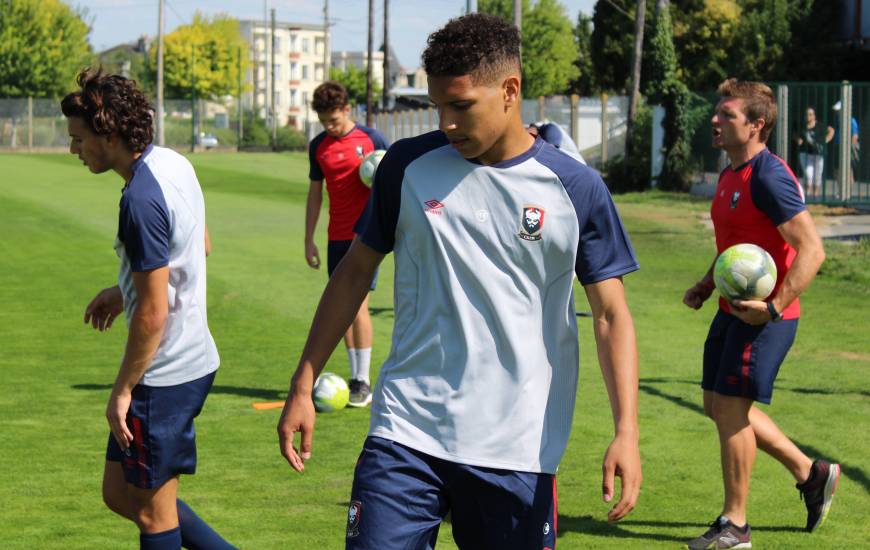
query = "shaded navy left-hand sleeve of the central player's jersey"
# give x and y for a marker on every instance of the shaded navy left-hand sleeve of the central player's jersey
(376, 226)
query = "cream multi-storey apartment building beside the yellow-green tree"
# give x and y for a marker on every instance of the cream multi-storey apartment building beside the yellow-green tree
(299, 69)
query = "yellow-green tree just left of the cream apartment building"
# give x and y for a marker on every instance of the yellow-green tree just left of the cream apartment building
(212, 48)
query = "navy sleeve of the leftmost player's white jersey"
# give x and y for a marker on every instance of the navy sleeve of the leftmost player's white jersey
(144, 225)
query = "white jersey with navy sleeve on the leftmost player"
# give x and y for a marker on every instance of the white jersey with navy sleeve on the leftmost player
(162, 223)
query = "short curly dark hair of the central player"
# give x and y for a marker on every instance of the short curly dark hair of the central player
(484, 46)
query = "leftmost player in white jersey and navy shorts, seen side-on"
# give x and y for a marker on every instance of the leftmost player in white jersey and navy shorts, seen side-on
(170, 360)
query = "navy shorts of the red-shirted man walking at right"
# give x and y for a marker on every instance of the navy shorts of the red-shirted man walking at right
(743, 360)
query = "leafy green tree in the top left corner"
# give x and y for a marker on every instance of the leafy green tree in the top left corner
(43, 46)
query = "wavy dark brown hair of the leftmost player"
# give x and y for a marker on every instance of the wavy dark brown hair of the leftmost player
(112, 104)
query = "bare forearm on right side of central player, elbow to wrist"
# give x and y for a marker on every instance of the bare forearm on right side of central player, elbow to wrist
(617, 355)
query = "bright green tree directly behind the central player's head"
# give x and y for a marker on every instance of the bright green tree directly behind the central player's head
(548, 44)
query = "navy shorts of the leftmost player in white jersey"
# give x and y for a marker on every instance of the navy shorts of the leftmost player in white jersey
(164, 441)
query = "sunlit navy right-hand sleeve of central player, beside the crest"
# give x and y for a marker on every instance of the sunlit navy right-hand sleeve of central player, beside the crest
(604, 250)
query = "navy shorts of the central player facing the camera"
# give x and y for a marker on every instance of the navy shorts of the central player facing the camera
(400, 496)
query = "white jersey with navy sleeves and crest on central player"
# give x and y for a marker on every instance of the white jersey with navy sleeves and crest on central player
(484, 359)
